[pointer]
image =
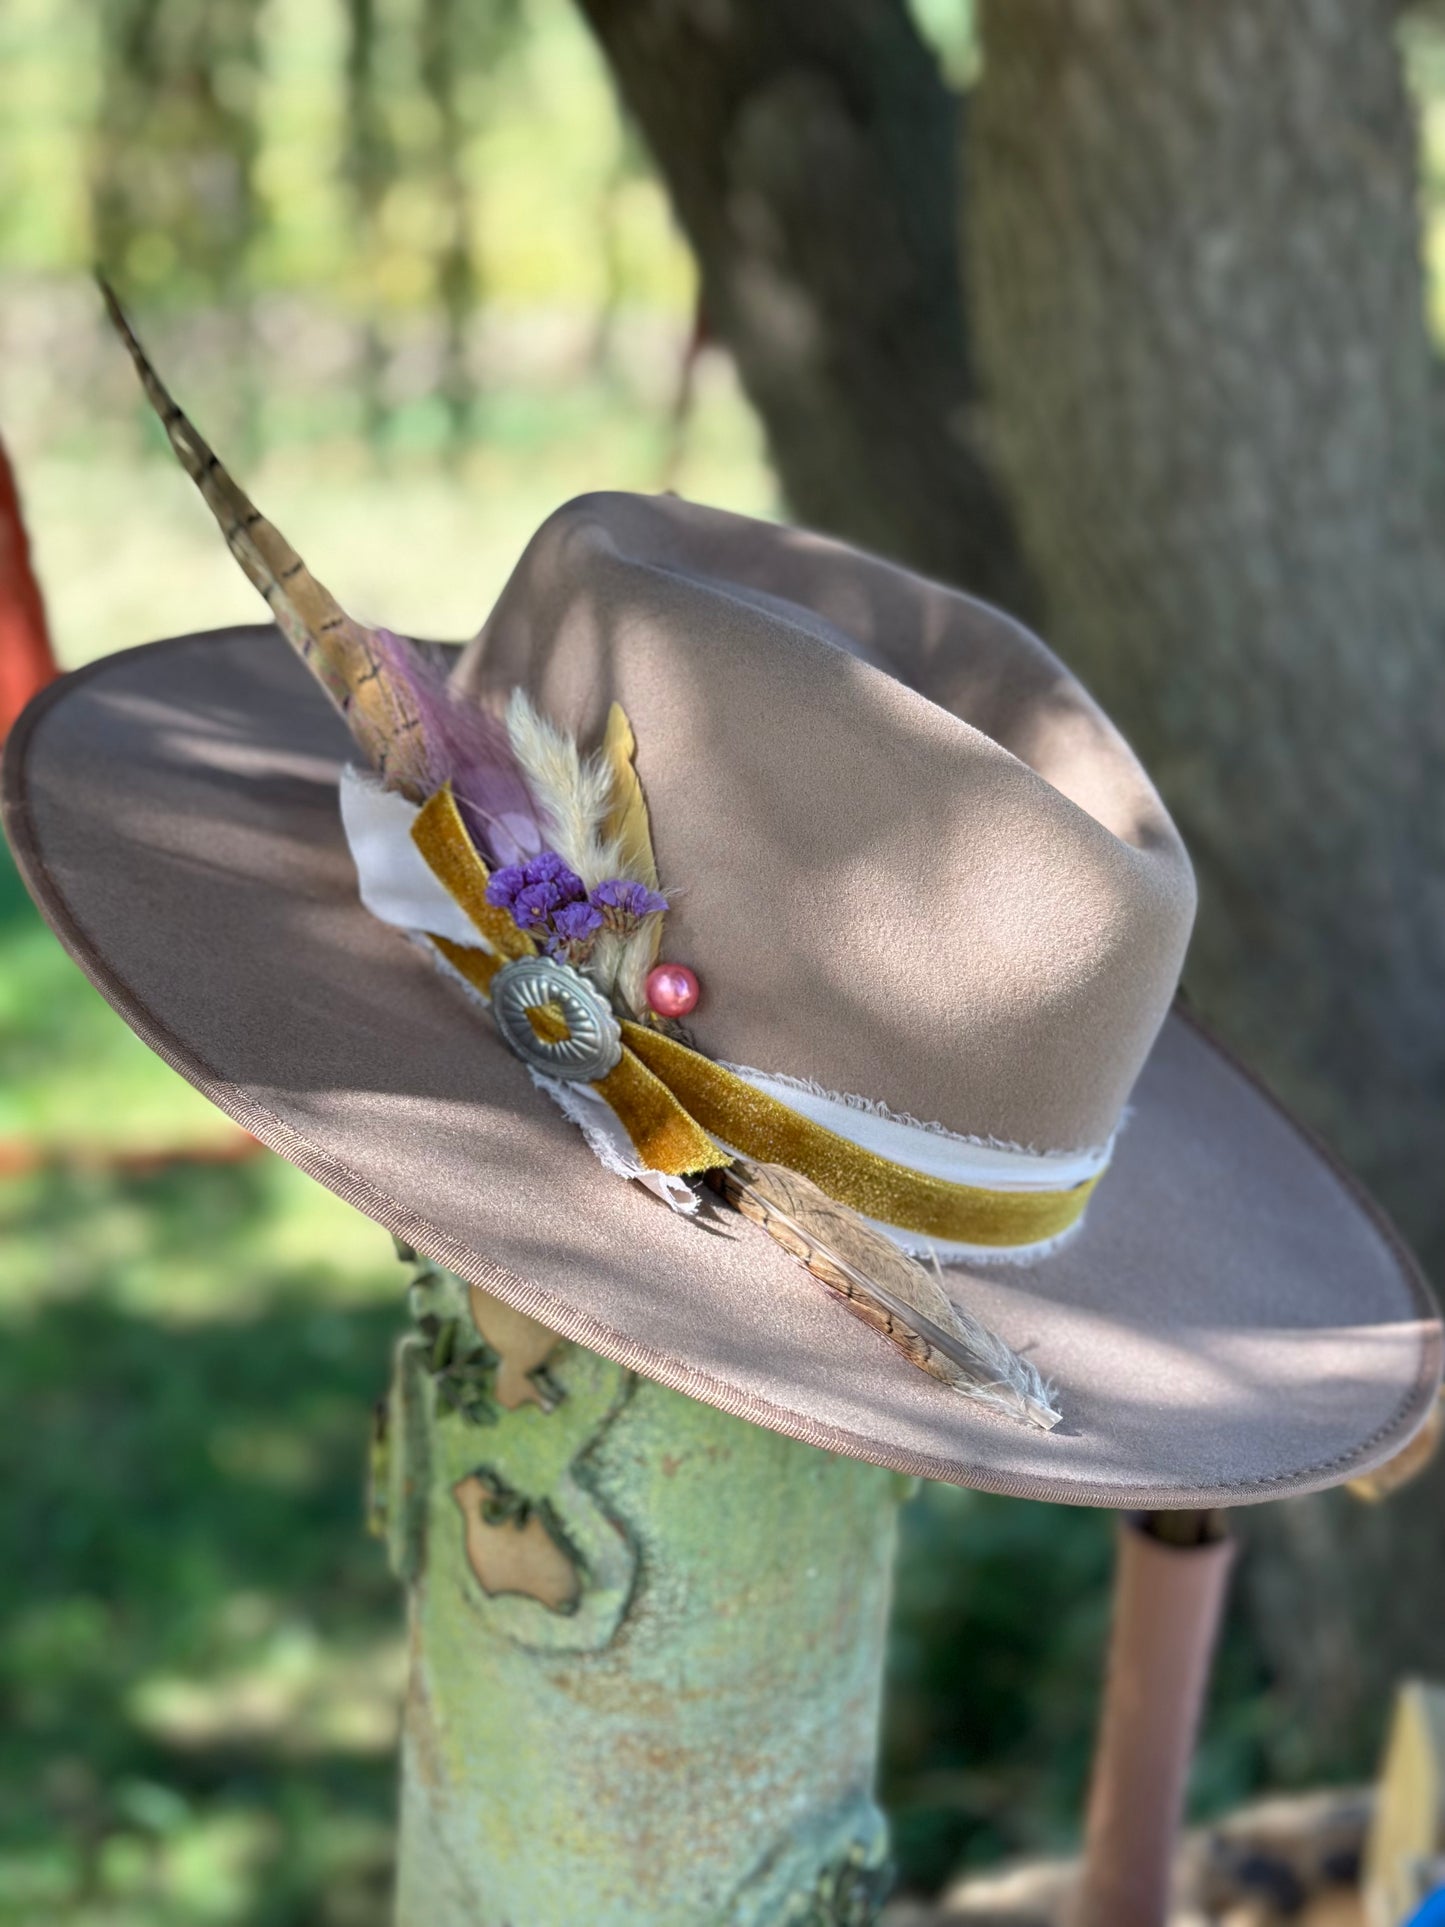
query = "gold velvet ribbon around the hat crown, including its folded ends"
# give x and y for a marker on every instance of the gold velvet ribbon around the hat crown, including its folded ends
(677, 1103)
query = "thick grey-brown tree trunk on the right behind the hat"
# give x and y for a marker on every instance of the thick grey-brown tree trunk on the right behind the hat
(1195, 263)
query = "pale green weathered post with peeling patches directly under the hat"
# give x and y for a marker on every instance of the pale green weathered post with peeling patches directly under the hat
(646, 1643)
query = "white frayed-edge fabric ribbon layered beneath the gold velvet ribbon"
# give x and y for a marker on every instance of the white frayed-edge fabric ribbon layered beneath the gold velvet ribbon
(400, 889)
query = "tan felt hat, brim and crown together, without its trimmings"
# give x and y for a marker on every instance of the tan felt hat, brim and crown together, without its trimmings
(912, 862)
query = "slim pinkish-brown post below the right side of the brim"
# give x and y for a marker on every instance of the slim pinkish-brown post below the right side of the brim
(1169, 1595)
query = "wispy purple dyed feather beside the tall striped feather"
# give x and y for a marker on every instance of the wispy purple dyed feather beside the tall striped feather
(469, 749)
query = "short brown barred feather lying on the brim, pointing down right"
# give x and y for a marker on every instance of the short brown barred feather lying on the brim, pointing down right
(887, 1290)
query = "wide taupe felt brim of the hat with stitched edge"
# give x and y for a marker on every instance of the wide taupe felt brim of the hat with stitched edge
(1234, 1323)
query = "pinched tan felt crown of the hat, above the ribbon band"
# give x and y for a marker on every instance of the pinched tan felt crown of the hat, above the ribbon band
(910, 855)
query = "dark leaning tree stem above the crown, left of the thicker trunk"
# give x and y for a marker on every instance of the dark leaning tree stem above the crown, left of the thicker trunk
(812, 157)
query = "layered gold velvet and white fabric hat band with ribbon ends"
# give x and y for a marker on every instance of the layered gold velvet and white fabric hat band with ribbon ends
(683, 1113)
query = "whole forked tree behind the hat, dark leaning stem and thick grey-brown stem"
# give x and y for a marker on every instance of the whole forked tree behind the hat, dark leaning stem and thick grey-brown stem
(1192, 267)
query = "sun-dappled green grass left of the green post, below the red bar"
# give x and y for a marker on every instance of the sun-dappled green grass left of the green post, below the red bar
(201, 1662)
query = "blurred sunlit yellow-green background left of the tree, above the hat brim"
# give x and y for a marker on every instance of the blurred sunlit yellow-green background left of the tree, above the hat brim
(398, 257)
